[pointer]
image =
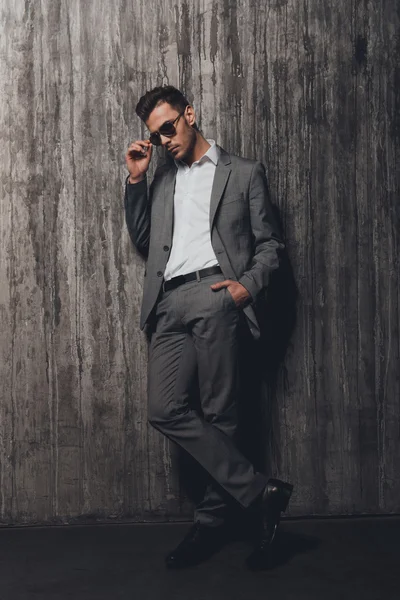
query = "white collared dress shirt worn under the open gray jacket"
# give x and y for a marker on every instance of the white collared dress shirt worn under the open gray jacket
(191, 241)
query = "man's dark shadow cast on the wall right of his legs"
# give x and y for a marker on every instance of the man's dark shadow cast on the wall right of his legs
(263, 366)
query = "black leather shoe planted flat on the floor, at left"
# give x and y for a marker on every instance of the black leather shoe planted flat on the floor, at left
(197, 545)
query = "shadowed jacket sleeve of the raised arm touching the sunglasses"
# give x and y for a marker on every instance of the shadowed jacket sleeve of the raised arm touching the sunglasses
(137, 214)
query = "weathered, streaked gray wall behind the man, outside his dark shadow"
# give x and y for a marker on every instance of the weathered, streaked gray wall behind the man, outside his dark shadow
(308, 88)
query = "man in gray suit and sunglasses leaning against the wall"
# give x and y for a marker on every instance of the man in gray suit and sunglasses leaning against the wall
(207, 231)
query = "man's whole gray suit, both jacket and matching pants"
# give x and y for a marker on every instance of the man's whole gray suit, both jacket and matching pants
(195, 329)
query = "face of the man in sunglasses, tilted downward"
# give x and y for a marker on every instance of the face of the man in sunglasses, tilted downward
(181, 144)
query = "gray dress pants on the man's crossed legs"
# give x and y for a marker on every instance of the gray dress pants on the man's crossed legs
(197, 331)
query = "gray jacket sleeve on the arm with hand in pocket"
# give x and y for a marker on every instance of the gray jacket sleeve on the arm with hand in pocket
(267, 240)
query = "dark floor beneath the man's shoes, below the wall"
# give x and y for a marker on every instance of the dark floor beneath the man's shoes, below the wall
(318, 559)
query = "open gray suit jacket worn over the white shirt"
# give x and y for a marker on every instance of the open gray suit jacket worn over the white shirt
(244, 233)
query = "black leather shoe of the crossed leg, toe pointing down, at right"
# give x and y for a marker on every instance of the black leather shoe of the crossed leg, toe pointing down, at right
(275, 499)
